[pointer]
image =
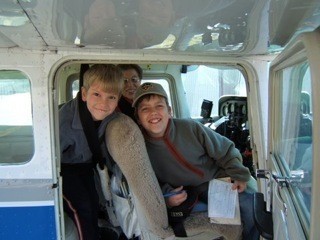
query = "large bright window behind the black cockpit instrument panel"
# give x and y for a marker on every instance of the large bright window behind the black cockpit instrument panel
(211, 83)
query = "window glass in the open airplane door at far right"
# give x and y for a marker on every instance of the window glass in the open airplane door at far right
(295, 128)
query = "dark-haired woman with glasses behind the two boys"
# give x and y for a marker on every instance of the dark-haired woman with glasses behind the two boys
(132, 74)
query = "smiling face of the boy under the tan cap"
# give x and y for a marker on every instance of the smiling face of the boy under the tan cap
(154, 114)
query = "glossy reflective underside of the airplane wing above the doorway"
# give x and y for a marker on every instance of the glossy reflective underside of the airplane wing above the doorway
(217, 27)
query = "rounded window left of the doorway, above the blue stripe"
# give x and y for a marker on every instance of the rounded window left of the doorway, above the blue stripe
(16, 132)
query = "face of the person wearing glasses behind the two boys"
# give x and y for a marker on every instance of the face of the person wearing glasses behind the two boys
(131, 83)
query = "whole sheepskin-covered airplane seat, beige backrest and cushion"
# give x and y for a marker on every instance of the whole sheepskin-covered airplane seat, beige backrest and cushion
(125, 143)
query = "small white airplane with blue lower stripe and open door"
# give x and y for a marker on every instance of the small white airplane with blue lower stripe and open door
(248, 69)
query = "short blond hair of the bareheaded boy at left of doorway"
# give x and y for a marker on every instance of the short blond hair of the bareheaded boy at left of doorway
(108, 75)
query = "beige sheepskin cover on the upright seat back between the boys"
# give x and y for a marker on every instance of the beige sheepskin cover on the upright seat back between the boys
(126, 146)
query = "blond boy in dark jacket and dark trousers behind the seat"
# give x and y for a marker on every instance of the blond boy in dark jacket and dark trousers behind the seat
(93, 107)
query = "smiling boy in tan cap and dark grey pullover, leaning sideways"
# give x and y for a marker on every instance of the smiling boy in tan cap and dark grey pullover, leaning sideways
(185, 153)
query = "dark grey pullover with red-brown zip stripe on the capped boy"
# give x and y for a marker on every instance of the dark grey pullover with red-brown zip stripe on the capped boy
(190, 154)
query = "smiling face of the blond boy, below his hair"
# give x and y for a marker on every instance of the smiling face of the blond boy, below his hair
(99, 103)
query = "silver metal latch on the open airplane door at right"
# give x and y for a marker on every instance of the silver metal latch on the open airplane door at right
(295, 178)
